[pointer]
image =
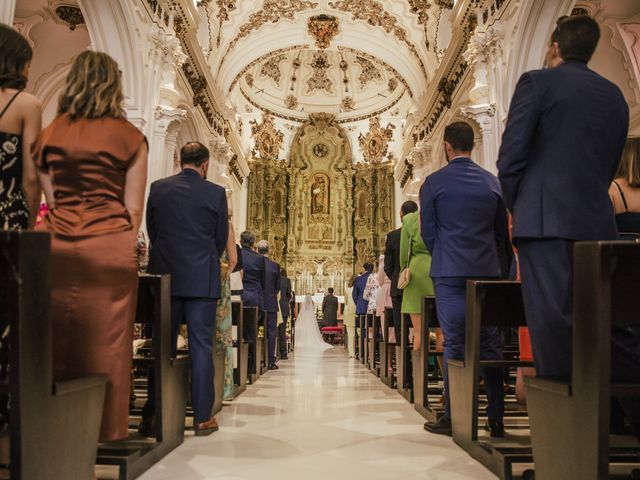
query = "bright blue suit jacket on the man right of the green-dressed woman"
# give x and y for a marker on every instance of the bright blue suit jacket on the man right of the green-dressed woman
(463, 221)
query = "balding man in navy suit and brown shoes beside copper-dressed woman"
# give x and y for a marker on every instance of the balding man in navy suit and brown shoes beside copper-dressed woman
(188, 227)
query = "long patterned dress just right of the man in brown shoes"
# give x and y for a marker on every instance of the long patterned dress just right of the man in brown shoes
(224, 338)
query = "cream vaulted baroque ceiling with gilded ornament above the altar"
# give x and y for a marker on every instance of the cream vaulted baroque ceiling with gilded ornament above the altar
(355, 59)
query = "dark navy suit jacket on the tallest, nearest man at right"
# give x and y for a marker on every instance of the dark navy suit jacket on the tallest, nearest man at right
(565, 133)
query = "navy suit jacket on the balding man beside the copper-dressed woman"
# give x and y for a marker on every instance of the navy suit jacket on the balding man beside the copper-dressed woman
(188, 227)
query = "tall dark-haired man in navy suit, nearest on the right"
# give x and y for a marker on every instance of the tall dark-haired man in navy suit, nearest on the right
(565, 134)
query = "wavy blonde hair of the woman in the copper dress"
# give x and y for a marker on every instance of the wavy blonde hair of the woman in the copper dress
(93, 88)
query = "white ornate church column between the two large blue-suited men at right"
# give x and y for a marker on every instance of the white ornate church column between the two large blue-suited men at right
(484, 54)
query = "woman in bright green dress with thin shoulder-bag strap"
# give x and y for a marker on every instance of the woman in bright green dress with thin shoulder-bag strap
(414, 254)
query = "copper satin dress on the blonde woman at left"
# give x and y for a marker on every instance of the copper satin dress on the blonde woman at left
(94, 273)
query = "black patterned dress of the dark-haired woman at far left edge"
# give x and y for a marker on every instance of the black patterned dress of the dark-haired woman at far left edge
(14, 212)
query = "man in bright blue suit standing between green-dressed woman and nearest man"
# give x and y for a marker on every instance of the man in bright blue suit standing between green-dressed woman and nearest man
(464, 226)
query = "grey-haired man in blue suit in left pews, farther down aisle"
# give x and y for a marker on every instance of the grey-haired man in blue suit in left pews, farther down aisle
(270, 302)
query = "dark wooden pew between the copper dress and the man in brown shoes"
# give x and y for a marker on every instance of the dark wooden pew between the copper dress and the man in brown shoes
(137, 454)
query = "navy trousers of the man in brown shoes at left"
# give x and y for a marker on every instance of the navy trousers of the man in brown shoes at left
(200, 316)
